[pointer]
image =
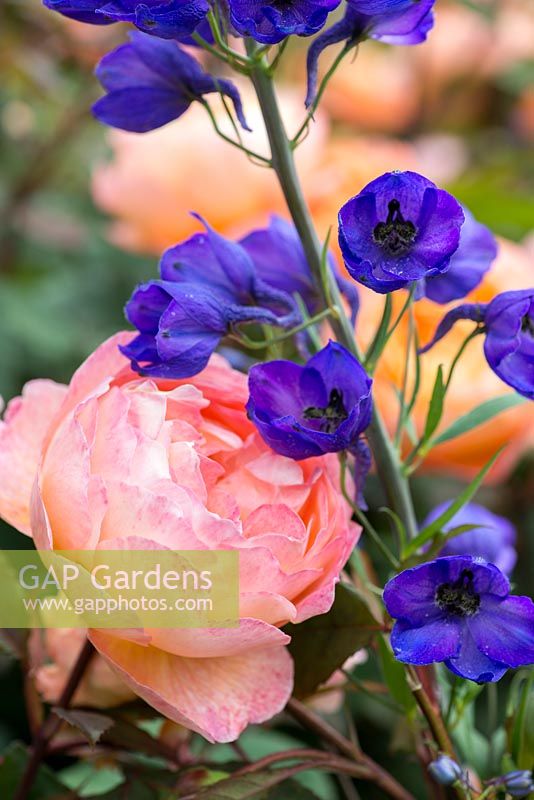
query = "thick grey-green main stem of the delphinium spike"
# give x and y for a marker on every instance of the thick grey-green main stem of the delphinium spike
(386, 457)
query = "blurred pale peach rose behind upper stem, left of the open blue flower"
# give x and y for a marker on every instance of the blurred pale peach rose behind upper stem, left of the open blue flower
(156, 179)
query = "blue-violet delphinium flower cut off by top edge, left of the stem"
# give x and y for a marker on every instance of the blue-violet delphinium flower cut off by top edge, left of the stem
(168, 19)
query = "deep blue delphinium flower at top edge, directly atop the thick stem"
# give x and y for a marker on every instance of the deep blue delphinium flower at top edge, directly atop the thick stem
(269, 23)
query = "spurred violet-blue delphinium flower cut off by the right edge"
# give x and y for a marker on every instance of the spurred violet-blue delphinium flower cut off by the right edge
(508, 324)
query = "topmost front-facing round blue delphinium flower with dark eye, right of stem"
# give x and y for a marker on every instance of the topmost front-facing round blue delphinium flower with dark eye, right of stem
(399, 229)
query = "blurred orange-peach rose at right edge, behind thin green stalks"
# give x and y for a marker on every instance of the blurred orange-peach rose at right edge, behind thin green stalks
(473, 381)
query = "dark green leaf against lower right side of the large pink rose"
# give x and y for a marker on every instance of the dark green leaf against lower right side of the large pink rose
(321, 645)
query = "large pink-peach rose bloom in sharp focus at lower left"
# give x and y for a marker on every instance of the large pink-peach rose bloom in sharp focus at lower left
(116, 461)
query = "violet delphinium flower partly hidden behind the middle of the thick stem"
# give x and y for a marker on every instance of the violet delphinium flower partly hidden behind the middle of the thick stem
(281, 262)
